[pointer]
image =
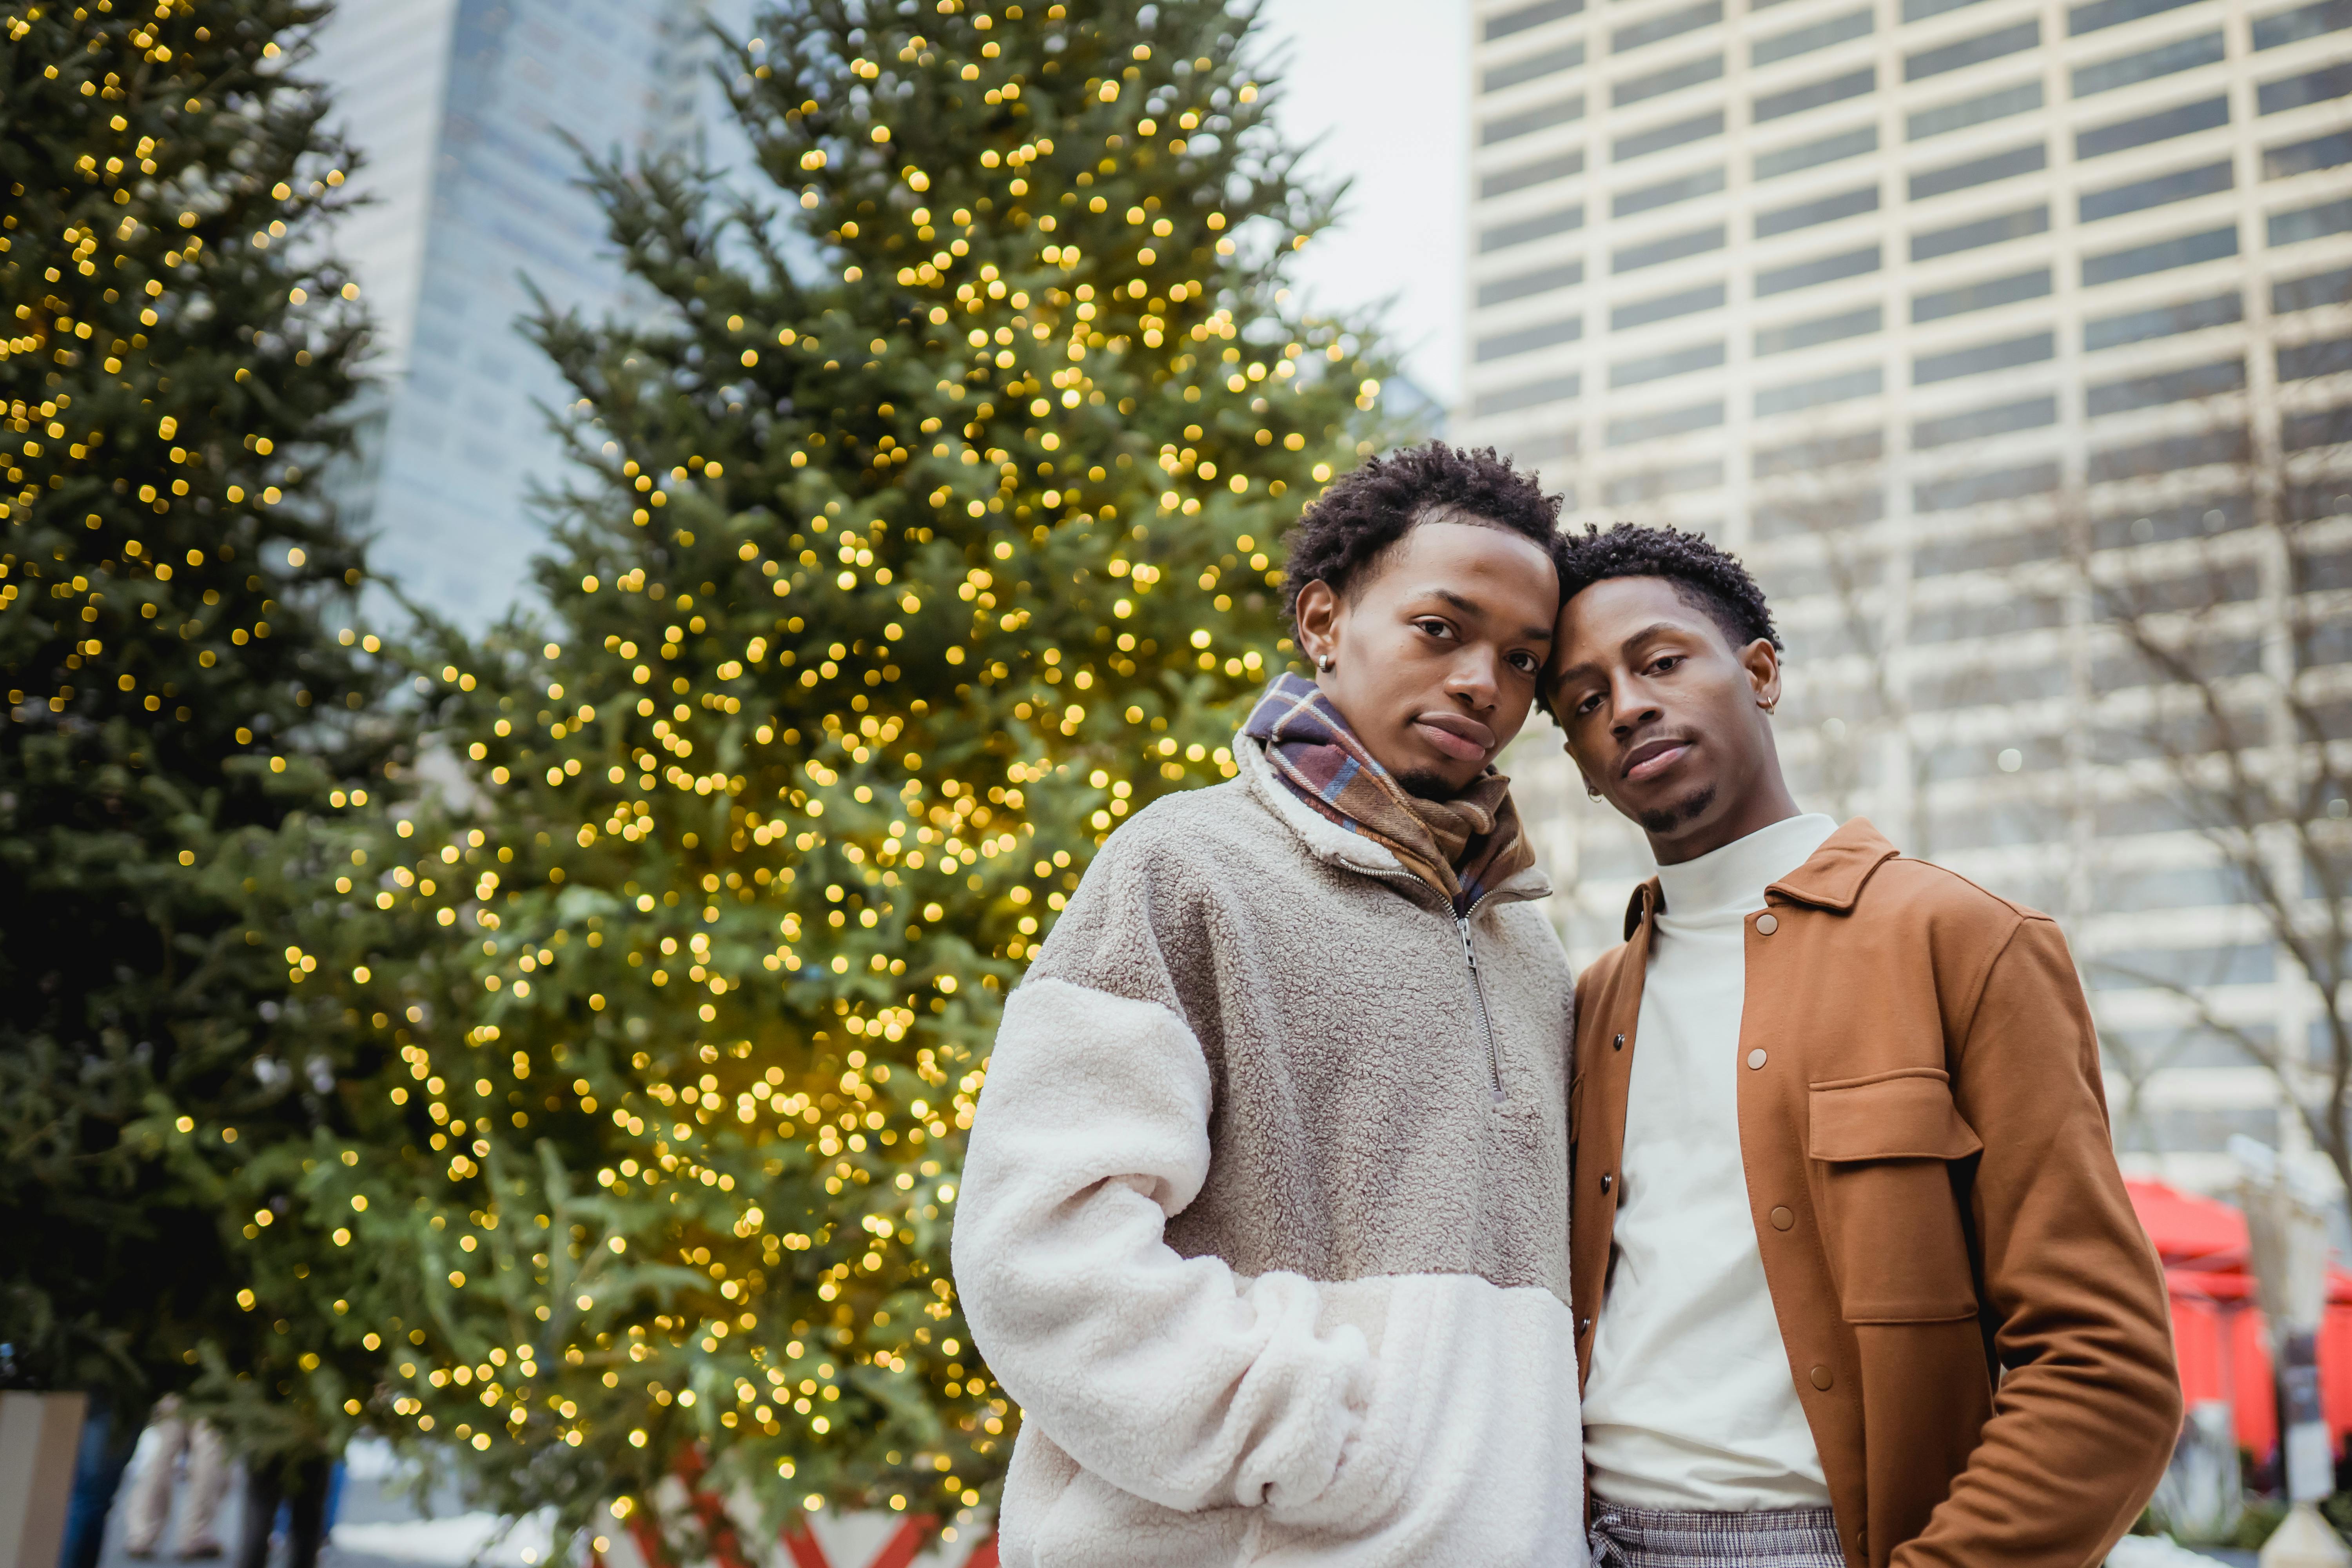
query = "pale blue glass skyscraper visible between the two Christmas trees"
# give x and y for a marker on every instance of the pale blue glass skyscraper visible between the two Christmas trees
(462, 114)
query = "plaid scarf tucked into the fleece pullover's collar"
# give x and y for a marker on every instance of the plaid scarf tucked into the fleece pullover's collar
(1462, 847)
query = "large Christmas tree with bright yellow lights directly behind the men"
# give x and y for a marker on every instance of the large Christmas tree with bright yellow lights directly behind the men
(890, 587)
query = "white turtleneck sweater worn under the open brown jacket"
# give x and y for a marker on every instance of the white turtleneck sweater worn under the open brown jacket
(1692, 1405)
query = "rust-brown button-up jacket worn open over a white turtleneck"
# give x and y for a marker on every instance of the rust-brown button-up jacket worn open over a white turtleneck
(1972, 1315)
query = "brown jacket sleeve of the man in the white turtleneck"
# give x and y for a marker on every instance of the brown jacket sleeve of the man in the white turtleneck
(2090, 1400)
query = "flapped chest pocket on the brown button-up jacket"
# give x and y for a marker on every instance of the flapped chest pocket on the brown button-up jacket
(1885, 1155)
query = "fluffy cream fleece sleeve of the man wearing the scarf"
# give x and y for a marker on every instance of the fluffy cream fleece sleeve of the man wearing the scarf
(1165, 1376)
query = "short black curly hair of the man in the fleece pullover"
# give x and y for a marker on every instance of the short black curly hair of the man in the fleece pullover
(1368, 511)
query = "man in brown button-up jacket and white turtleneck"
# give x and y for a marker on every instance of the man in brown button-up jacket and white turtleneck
(1852, 1266)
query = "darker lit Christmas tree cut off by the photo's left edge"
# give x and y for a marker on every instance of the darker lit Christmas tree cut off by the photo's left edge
(175, 652)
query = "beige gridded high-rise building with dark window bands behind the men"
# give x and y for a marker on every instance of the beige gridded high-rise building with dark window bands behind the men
(1949, 314)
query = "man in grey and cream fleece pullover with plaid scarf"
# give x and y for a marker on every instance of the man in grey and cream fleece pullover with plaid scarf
(1264, 1219)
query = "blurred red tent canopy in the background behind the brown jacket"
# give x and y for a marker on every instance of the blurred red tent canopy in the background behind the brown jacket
(2219, 1329)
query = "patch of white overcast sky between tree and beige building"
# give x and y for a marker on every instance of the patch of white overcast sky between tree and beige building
(1387, 86)
